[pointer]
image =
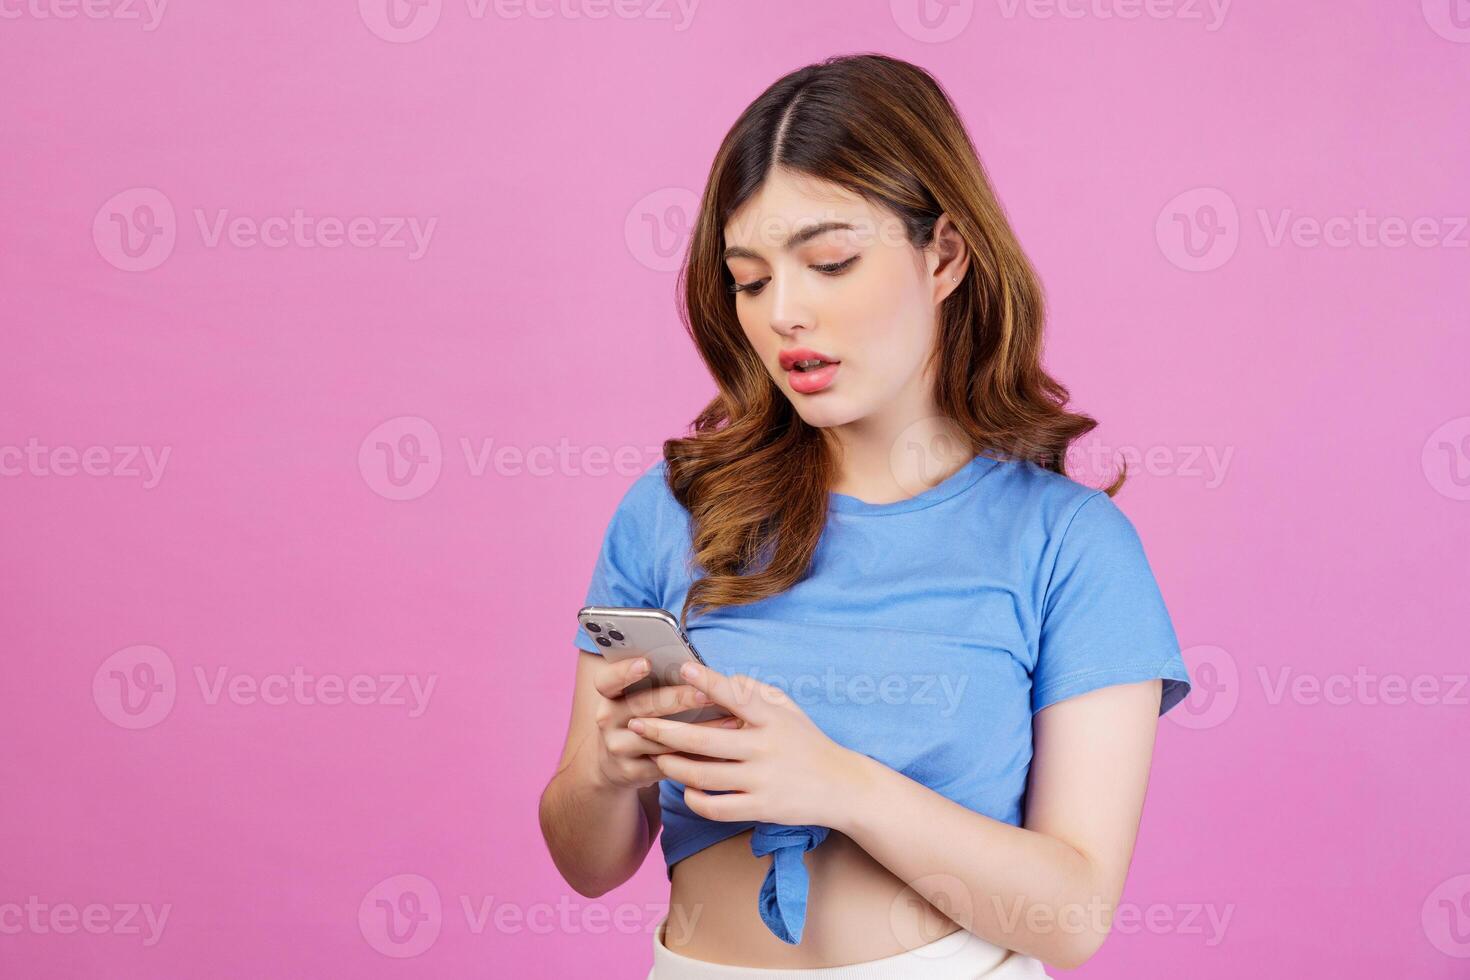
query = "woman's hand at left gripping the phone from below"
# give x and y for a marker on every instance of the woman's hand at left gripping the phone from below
(623, 754)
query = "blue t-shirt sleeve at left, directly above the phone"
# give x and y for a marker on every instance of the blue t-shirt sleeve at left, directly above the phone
(624, 574)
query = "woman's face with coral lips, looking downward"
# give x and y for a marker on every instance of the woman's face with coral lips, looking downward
(861, 296)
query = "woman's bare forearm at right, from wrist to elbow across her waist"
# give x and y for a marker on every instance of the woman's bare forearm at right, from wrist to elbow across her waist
(1008, 885)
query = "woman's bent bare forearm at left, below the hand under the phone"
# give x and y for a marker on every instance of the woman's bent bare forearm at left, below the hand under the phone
(598, 834)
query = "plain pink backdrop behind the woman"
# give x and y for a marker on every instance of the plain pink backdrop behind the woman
(558, 158)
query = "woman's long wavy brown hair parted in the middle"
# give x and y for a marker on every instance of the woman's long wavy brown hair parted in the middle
(753, 475)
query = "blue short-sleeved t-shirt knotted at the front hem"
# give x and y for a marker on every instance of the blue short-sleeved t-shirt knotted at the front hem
(927, 634)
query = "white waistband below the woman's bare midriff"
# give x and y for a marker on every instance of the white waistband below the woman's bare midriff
(961, 956)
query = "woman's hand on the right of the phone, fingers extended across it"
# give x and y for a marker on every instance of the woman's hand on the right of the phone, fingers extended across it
(781, 765)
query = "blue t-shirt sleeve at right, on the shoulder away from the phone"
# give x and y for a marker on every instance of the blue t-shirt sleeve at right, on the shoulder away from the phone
(1103, 616)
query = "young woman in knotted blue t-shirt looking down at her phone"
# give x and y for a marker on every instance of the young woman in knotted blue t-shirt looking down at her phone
(946, 659)
